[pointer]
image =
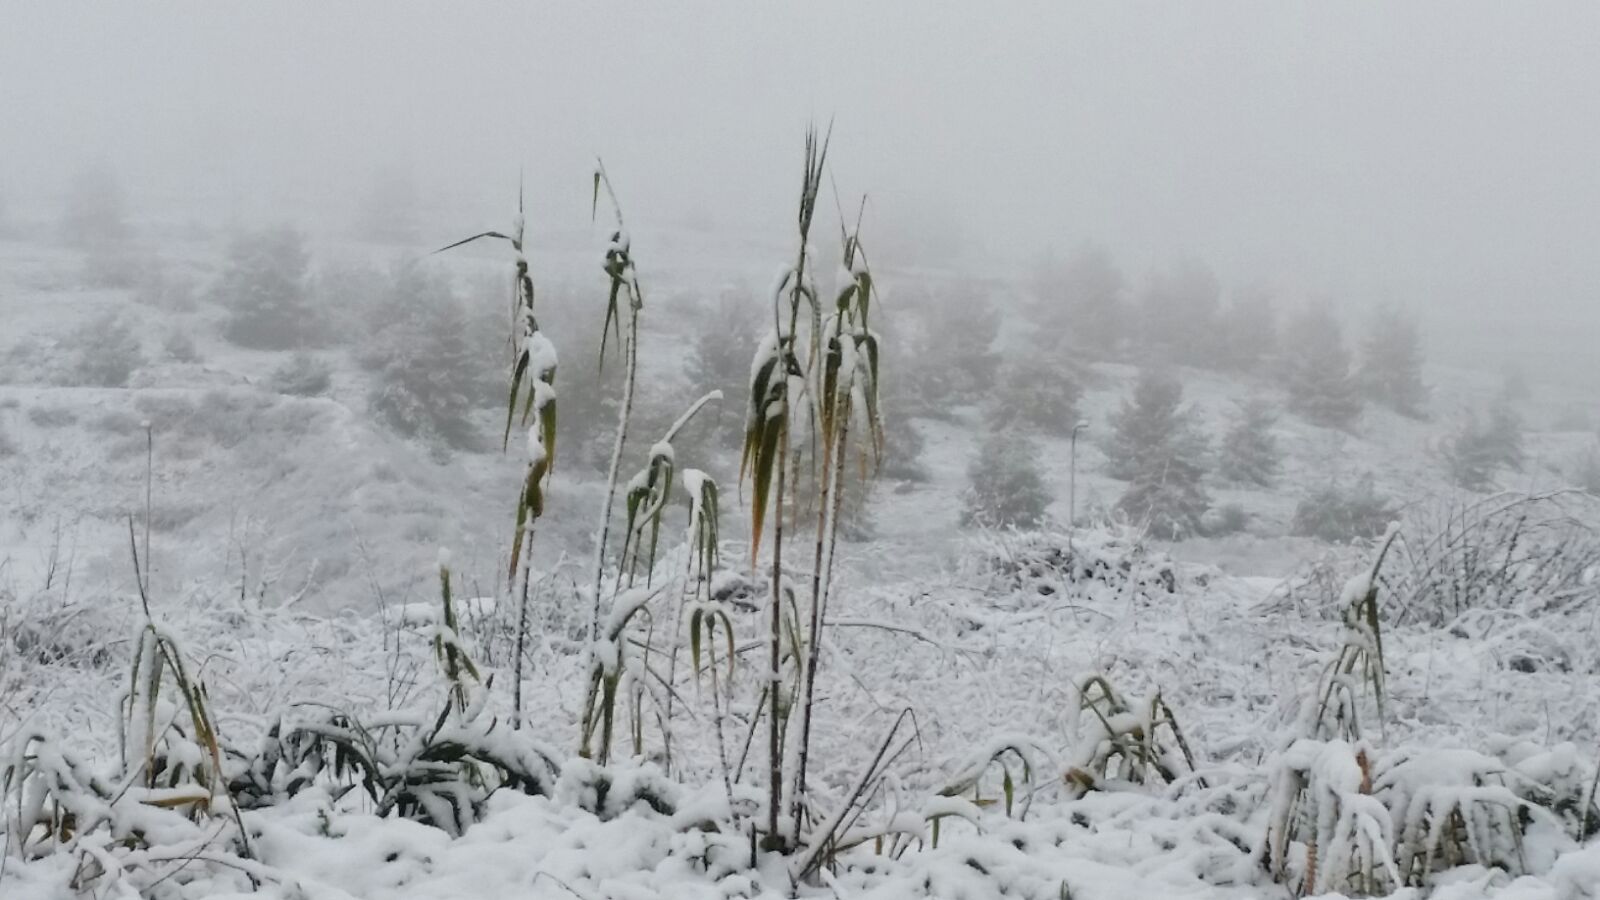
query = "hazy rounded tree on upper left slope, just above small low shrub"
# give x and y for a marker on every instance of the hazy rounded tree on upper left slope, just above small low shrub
(266, 292)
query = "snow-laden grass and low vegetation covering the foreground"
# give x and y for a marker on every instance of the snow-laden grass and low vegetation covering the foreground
(990, 656)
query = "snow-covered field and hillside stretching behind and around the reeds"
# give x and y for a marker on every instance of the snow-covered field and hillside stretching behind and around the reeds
(1076, 715)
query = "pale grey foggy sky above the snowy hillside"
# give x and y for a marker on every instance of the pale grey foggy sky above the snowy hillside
(1433, 156)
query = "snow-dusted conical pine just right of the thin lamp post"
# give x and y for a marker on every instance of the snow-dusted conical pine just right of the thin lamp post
(1158, 448)
